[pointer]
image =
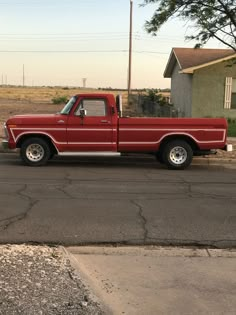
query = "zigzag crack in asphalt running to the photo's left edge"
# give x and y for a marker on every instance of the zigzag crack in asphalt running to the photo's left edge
(6, 223)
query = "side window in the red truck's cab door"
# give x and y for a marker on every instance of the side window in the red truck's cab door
(93, 107)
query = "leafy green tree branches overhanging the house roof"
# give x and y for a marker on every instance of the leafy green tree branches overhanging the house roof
(211, 18)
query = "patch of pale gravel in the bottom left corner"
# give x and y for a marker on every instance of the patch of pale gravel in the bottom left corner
(40, 280)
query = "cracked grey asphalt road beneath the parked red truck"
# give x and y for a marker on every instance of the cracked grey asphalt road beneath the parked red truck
(116, 200)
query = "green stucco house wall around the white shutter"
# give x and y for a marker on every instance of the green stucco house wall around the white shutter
(209, 91)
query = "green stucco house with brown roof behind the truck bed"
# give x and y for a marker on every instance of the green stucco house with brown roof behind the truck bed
(203, 82)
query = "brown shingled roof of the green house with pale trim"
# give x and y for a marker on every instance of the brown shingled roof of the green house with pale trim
(190, 59)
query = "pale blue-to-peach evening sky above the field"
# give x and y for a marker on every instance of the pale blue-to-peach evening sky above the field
(60, 42)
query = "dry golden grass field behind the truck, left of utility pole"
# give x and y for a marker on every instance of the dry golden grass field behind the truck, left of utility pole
(23, 100)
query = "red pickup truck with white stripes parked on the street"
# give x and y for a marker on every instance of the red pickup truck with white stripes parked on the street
(92, 124)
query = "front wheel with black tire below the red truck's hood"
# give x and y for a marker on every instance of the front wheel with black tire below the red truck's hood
(35, 152)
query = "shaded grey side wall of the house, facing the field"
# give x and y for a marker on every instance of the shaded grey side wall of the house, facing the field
(181, 92)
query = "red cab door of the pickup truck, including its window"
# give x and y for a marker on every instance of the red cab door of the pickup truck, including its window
(90, 126)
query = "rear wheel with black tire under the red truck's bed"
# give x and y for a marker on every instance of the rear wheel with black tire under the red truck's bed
(177, 154)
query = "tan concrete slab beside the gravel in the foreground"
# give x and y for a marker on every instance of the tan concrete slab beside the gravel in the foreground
(155, 280)
